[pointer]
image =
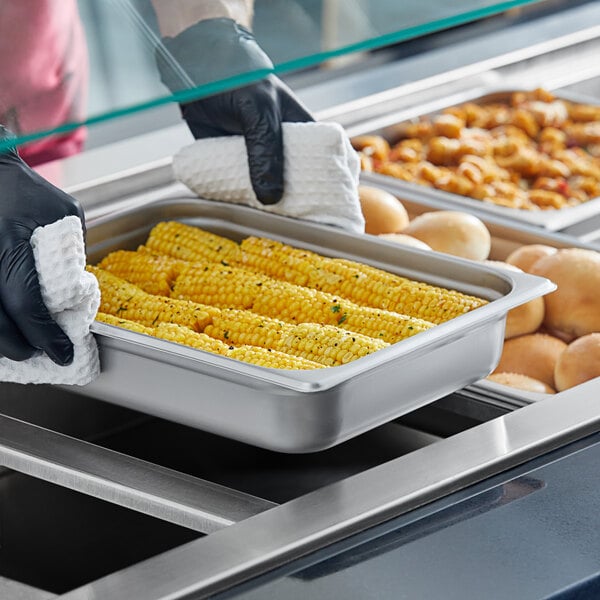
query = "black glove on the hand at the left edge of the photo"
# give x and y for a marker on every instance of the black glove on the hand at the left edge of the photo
(27, 201)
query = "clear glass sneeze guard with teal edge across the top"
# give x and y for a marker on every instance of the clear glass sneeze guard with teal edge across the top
(123, 41)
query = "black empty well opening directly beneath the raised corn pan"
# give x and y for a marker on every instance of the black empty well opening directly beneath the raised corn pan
(275, 476)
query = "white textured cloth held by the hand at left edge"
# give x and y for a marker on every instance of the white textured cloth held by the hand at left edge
(72, 296)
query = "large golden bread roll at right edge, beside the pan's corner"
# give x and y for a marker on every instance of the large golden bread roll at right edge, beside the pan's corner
(574, 308)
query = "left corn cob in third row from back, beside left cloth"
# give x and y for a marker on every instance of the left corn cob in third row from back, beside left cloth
(127, 301)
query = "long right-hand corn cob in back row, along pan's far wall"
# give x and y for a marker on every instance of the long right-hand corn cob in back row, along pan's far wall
(365, 285)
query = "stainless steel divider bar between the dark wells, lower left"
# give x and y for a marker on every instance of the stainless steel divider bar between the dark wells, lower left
(168, 495)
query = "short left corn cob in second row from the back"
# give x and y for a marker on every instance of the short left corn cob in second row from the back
(153, 273)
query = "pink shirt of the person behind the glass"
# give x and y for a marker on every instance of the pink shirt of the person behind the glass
(43, 74)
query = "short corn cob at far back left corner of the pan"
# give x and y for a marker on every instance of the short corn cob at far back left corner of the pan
(191, 243)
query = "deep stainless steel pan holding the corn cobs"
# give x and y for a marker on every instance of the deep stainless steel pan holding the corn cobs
(301, 411)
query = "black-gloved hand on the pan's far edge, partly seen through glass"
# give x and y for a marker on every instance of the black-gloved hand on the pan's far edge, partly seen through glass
(216, 49)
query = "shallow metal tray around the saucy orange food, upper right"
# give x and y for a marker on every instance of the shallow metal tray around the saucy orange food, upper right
(553, 220)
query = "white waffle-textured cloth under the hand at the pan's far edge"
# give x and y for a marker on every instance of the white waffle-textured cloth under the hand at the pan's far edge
(321, 171)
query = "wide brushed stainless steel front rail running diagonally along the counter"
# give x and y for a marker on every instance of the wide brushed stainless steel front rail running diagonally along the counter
(298, 527)
